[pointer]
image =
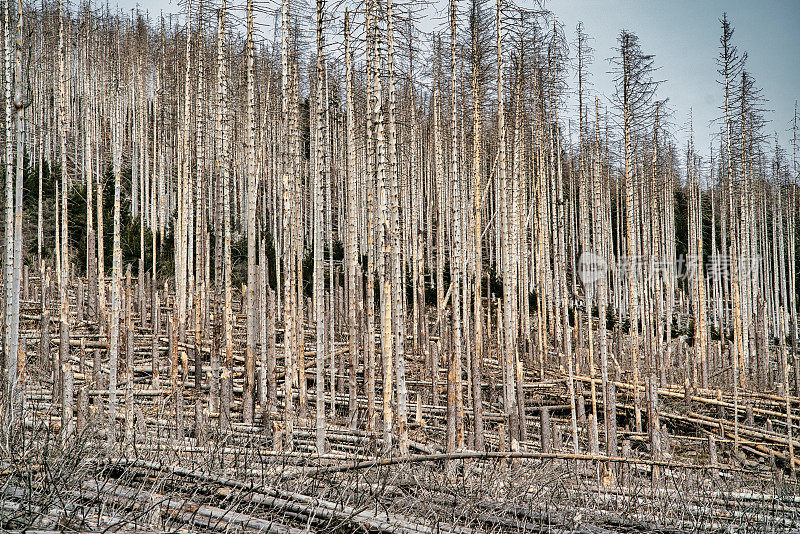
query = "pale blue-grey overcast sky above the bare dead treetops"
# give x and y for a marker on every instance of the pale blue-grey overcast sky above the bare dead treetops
(683, 35)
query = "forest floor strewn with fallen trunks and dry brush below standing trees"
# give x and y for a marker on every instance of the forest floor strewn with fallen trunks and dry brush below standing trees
(151, 479)
